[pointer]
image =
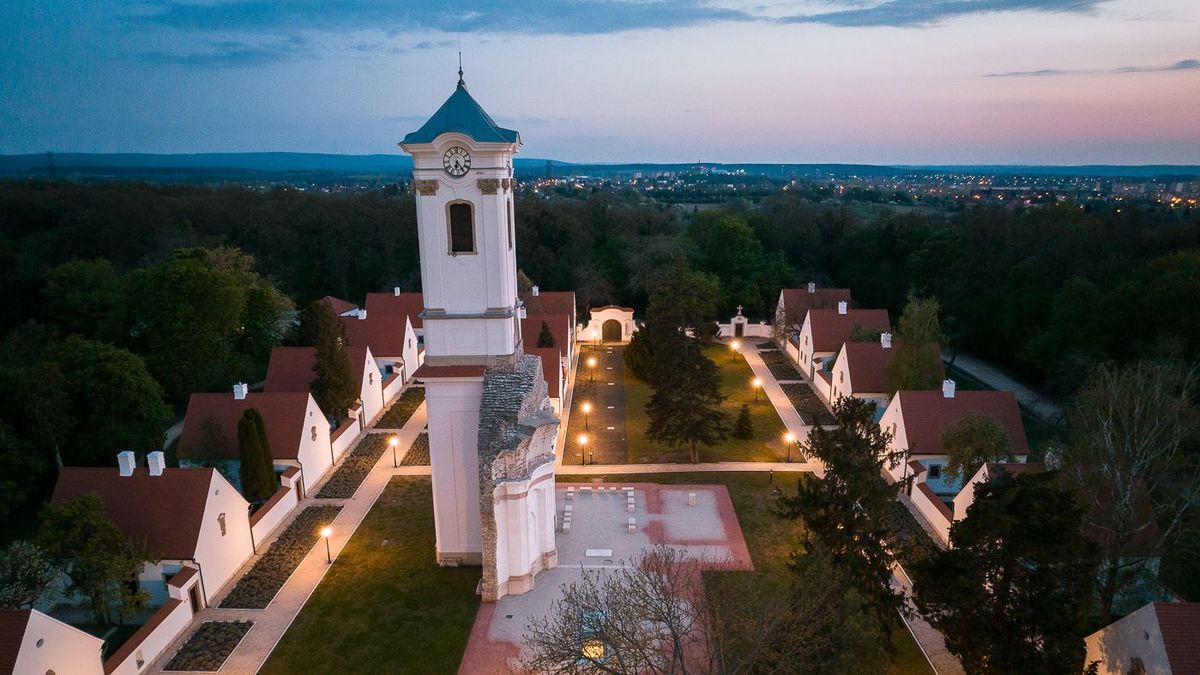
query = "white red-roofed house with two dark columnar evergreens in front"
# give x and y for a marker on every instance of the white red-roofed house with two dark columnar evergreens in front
(297, 431)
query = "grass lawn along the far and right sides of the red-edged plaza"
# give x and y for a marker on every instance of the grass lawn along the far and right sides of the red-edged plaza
(770, 540)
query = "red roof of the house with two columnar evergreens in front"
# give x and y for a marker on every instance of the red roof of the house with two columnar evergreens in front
(285, 416)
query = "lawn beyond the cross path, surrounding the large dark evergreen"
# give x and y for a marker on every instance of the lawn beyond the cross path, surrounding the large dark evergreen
(767, 444)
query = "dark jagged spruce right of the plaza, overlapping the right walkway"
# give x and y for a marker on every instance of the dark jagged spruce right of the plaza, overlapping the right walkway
(847, 512)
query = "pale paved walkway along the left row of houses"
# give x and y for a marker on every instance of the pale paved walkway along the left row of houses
(271, 624)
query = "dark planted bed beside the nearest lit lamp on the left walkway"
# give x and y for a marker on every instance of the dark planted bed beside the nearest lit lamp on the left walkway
(260, 586)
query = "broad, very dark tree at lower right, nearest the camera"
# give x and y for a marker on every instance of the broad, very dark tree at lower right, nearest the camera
(1015, 593)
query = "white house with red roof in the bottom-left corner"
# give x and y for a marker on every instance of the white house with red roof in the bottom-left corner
(33, 643)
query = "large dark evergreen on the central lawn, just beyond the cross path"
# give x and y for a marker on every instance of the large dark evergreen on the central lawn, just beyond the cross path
(686, 407)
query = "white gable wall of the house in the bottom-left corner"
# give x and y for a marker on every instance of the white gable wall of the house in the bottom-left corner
(53, 647)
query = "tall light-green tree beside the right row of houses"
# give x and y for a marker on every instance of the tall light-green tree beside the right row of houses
(917, 365)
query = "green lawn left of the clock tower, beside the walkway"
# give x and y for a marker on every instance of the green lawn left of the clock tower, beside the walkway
(386, 606)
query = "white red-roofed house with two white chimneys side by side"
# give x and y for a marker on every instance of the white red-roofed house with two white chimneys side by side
(189, 517)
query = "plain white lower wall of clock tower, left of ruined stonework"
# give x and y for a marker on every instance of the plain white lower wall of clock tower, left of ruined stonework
(453, 407)
